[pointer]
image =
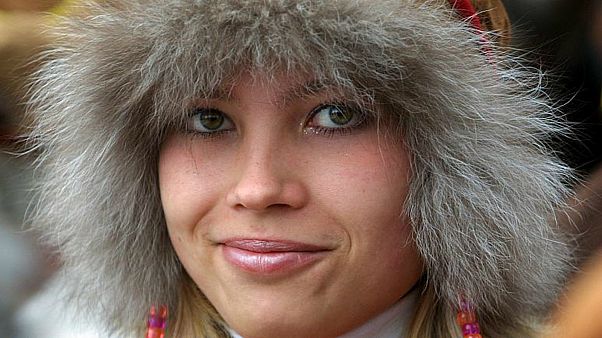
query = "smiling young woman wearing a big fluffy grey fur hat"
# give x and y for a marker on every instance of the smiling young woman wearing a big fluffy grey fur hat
(298, 169)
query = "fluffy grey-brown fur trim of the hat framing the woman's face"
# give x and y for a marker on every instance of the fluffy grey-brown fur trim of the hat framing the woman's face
(484, 188)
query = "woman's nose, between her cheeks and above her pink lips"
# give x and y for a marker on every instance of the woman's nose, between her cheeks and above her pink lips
(267, 179)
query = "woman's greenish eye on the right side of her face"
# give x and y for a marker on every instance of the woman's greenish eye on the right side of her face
(335, 117)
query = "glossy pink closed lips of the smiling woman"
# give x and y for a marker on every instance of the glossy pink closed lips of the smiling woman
(267, 257)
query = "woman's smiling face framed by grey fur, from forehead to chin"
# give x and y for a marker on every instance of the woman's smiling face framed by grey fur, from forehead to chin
(284, 205)
